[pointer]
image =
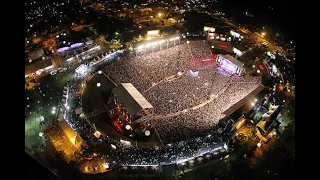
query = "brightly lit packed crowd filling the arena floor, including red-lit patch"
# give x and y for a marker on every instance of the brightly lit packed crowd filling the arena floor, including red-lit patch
(188, 90)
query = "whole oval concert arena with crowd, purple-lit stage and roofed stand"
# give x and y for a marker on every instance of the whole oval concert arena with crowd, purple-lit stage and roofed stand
(169, 97)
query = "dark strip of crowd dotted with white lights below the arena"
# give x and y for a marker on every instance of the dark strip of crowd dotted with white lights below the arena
(171, 153)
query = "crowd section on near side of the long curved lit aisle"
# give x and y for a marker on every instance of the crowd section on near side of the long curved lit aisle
(195, 122)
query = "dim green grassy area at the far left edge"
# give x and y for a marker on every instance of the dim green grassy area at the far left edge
(39, 102)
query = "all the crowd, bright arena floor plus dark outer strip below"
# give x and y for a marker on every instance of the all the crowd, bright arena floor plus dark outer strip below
(165, 80)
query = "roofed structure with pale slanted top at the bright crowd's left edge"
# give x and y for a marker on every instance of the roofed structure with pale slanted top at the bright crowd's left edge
(131, 99)
